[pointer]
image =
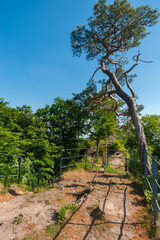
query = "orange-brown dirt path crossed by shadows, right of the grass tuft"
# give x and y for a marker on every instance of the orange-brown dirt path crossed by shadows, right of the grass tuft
(119, 203)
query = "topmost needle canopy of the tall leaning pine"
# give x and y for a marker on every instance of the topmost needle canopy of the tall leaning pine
(114, 27)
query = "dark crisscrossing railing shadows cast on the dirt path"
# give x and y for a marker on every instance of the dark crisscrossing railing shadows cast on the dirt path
(97, 213)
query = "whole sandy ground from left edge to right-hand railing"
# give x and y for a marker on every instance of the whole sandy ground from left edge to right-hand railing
(110, 210)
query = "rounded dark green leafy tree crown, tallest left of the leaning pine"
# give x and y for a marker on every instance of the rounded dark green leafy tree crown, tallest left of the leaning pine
(64, 121)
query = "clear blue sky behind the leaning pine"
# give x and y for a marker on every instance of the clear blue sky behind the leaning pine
(36, 62)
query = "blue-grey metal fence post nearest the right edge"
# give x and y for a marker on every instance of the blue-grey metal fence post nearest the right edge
(155, 188)
